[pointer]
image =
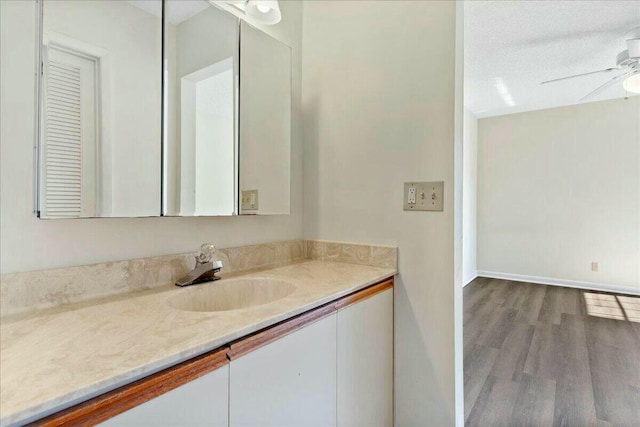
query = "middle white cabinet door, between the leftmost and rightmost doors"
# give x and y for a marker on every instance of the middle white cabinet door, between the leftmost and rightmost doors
(290, 382)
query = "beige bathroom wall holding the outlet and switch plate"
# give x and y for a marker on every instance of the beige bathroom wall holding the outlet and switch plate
(378, 107)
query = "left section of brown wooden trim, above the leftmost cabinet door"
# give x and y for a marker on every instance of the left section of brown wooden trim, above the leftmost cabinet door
(110, 404)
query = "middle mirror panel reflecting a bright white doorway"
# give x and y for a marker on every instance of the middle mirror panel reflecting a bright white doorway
(201, 57)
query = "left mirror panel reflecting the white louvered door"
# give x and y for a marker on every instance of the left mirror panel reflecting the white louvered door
(100, 108)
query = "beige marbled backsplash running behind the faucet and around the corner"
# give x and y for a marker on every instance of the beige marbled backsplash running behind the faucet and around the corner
(28, 291)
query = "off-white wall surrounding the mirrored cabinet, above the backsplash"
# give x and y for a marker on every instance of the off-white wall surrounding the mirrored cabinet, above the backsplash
(31, 244)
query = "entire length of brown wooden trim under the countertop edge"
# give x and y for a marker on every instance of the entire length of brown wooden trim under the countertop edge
(117, 401)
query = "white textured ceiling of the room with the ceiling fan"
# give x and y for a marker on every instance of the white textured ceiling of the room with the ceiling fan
(512, 46)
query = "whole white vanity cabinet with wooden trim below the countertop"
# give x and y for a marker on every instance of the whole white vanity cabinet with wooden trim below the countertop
(330, 366)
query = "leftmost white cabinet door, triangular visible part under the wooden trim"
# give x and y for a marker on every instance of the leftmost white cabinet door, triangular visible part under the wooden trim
(202, 402)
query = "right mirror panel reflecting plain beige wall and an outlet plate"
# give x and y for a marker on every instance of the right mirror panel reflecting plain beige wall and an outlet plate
(265, 123)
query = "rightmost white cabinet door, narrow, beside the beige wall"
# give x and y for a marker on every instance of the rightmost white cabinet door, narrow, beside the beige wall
(365, 362)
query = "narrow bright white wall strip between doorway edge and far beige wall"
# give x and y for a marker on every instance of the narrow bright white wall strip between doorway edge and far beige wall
(469, 196)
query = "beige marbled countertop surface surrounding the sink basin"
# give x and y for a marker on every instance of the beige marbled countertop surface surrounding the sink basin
(57, 358)
